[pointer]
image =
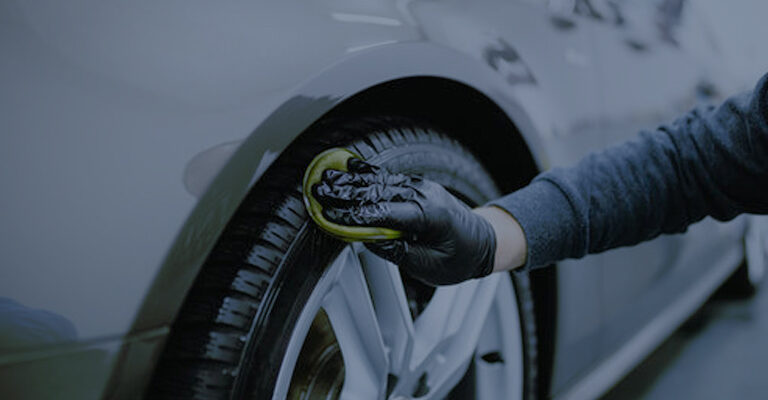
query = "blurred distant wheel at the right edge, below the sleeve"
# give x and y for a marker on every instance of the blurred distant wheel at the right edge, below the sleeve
(746, 280)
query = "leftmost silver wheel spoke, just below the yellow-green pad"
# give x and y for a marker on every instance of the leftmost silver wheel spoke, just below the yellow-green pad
(351, 313)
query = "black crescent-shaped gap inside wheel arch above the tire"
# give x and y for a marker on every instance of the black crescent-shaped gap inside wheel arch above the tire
(464, 112)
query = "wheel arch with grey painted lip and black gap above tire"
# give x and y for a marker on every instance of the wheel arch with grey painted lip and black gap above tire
(444, 96)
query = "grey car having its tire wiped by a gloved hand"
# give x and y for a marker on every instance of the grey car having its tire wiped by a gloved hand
(155, 243)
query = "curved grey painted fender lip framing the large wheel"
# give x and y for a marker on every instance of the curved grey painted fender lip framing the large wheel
(249, 159)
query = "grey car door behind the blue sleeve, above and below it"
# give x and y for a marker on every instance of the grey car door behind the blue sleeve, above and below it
(648, 77)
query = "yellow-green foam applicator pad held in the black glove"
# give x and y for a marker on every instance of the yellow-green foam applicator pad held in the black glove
(337, 159)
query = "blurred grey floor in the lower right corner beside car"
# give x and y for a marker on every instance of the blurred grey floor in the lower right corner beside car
(721, 353)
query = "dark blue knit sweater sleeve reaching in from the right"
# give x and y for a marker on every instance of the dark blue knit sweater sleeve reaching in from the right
(712, 161)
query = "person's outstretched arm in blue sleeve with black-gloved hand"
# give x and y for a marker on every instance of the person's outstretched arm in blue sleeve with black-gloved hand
(709, 162)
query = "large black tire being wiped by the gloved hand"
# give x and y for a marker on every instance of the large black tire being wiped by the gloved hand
(242, 317)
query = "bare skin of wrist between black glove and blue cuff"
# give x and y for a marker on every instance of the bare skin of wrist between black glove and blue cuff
(511, 246)
